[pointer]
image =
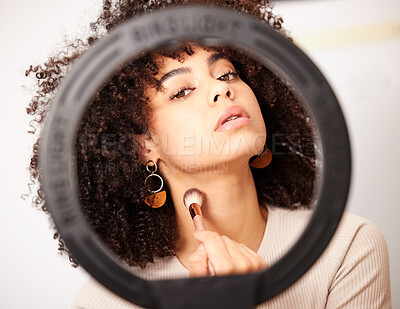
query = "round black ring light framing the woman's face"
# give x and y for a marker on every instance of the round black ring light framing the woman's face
(167, 28)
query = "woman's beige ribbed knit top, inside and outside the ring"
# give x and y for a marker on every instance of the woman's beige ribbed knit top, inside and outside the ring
(353, 271)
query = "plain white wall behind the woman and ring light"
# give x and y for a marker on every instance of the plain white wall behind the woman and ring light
(355, 43)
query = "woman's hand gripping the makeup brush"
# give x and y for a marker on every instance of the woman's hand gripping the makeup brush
(226, 256)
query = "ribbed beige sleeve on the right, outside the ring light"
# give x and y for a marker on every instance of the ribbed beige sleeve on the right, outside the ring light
(359, 256)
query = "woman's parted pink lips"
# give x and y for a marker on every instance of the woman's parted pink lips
(223, 123)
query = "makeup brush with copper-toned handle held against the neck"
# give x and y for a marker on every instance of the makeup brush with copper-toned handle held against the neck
(193, 199)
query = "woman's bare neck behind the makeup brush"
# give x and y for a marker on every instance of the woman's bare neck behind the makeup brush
(231, 207)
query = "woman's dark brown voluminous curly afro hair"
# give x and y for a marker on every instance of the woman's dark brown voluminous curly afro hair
(111, 177)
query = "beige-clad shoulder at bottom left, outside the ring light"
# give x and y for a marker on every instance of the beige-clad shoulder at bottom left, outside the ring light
(93, 295)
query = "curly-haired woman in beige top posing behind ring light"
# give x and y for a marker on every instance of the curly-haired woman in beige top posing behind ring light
(161, 115)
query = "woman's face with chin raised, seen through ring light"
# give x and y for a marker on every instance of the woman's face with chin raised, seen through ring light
(197, 94)
